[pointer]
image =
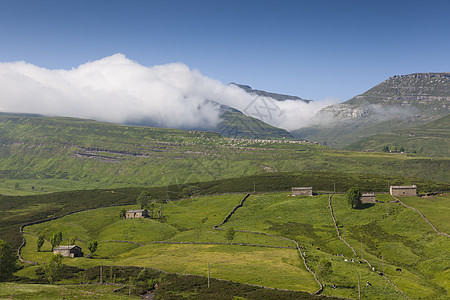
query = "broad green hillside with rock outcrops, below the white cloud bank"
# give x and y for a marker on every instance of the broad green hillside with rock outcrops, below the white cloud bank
(41, 154)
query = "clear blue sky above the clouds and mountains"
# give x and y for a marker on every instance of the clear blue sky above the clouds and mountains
(313, 49)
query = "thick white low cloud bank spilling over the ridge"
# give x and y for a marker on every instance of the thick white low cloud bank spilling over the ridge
(116, 89)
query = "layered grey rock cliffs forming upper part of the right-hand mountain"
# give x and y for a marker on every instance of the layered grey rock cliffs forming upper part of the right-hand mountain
(420, 95)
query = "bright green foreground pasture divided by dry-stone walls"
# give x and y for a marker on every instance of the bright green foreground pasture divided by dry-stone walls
(390, 234)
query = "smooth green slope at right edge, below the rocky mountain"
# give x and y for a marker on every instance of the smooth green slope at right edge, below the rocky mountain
(432, 139)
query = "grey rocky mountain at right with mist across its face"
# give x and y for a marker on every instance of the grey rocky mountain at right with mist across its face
(399, 103)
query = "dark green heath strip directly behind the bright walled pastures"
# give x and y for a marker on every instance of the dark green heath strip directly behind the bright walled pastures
(17, 210)
